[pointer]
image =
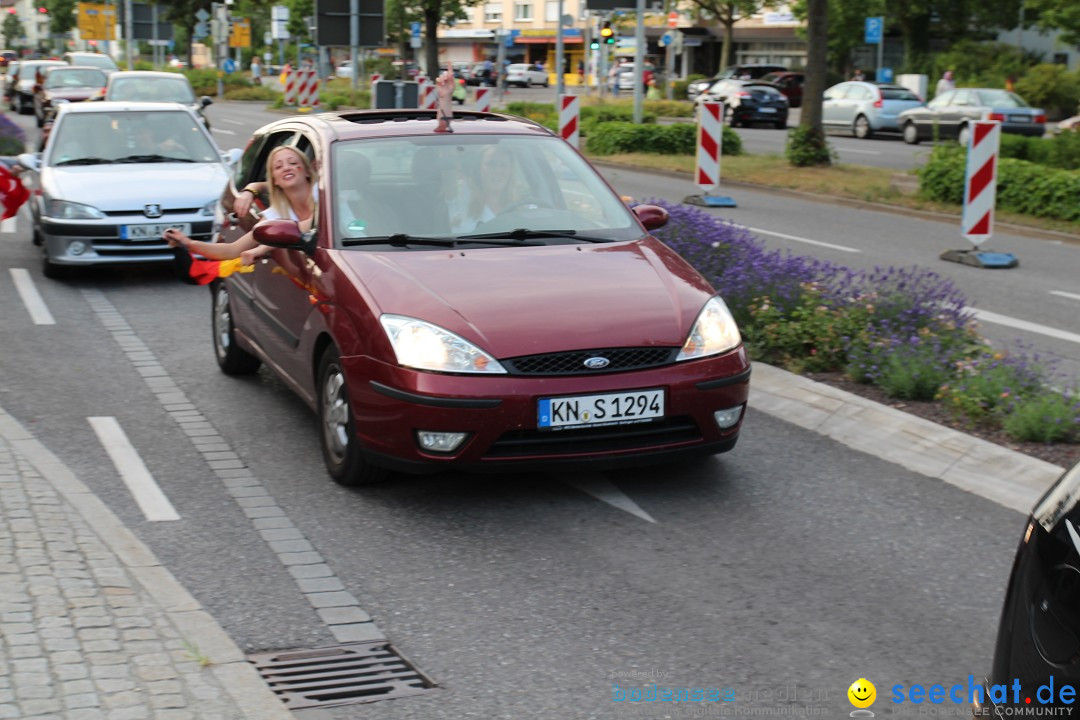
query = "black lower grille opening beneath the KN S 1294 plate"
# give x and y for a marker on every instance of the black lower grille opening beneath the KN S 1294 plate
(533, 443)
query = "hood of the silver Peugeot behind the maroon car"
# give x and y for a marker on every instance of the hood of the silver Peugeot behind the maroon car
(129, 187)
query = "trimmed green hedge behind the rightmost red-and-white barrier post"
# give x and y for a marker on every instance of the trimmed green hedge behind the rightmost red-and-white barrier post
(1023, 187)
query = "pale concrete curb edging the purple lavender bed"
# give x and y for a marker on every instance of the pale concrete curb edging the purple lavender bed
(1010, 479)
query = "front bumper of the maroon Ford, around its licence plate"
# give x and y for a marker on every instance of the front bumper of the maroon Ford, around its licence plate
(499, 414)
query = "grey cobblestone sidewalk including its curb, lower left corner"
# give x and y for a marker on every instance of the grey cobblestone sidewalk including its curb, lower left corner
(92, 626)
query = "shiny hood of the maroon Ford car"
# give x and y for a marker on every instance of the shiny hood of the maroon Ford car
(520, 302)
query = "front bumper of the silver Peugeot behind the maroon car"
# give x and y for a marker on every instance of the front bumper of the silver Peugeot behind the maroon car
(99, 242)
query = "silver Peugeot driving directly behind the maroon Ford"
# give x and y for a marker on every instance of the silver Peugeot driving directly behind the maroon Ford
(115, 176)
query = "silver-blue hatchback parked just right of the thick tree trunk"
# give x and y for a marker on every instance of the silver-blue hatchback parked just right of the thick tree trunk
(867, 108)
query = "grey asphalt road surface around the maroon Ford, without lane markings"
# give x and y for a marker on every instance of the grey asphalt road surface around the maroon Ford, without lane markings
(790, 563)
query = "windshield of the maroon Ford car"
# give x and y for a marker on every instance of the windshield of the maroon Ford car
(442, 189)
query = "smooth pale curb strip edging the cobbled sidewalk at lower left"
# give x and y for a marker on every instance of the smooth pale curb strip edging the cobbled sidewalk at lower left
(239, 677)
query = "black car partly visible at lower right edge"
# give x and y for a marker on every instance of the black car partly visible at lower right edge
(1039, 635)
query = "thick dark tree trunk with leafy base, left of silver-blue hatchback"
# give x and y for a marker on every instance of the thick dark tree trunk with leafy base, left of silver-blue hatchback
(807, 146)
